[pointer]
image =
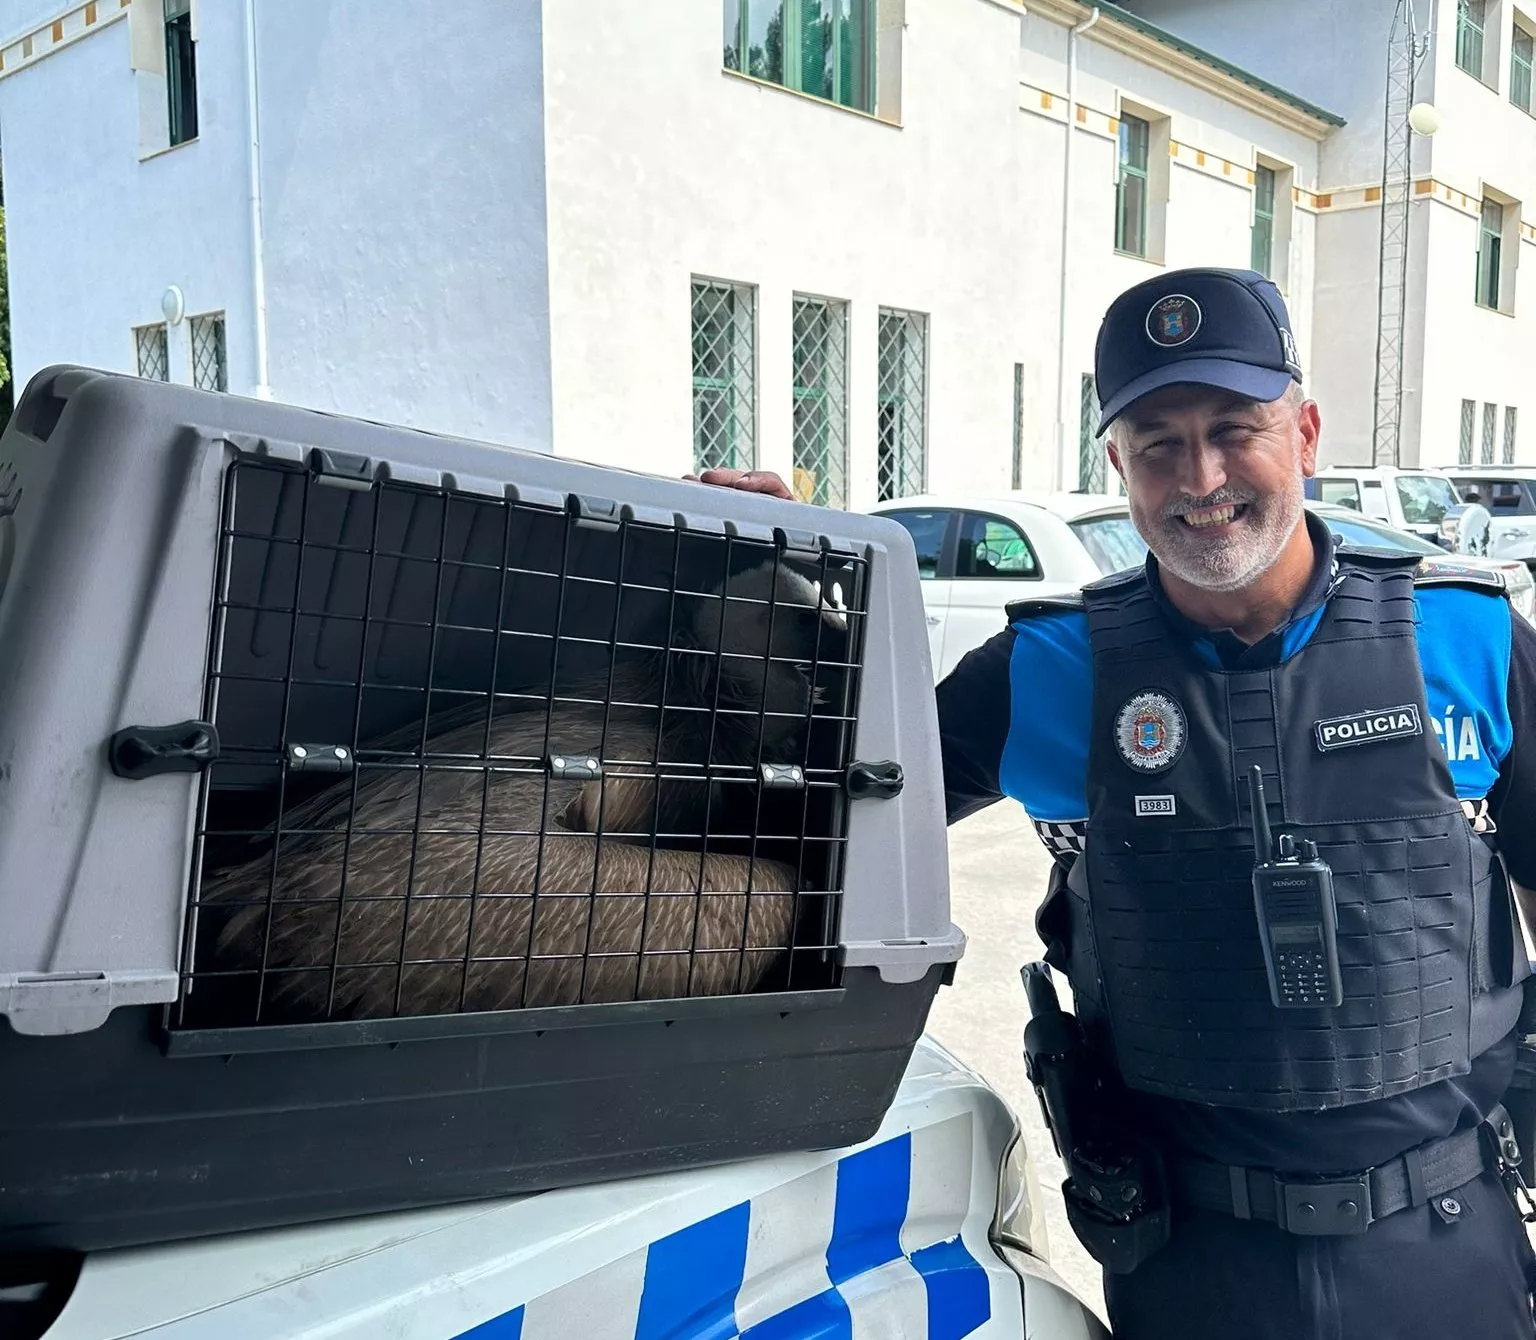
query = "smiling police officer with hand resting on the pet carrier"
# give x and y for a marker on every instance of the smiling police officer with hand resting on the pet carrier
(1326, 1170)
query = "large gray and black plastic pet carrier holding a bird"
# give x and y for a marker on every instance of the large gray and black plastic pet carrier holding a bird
(391, 820)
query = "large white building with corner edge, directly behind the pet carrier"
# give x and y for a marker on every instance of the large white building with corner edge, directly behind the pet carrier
(849, 240)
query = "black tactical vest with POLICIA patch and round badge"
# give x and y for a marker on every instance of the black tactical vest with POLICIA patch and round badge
(1162, 935)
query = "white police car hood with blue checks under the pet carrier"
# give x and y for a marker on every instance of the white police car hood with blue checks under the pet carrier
(929, 1232)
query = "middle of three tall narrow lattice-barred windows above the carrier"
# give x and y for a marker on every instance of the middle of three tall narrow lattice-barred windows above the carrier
(821, 402)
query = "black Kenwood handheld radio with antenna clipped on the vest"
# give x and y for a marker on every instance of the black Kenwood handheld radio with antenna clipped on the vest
(1297, 920)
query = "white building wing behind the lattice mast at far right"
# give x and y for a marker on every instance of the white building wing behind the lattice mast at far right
(1471, 300)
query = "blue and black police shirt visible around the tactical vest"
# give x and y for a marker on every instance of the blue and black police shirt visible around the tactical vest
(1015, 721)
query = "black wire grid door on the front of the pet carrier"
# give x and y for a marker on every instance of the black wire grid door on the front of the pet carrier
(478, 755)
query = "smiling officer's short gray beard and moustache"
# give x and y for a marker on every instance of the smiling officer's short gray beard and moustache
(1223, 563)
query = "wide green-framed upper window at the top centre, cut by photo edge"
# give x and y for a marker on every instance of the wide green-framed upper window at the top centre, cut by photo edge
(824, 48)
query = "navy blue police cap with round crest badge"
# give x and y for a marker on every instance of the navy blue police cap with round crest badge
(1228, 330)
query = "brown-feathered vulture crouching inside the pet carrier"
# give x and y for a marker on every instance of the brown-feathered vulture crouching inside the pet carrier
(575, 901)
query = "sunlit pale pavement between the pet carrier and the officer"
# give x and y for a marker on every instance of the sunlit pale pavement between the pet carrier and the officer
(998, 880)
